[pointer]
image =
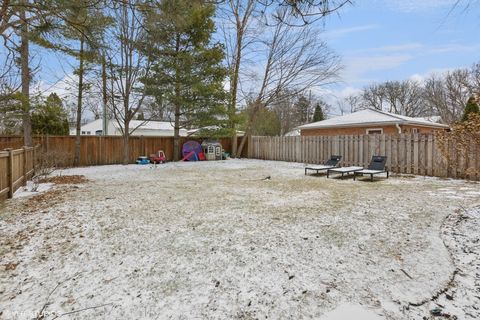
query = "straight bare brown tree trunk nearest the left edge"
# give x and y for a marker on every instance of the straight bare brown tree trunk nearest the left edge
(25, 71)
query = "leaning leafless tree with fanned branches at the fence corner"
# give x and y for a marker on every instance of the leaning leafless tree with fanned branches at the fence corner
(295, 59)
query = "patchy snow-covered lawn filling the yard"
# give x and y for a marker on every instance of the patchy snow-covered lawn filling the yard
(215, 240)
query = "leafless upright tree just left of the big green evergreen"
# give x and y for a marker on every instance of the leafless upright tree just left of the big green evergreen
(127, 63)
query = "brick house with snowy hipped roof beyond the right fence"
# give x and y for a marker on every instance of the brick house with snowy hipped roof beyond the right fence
(370, 121)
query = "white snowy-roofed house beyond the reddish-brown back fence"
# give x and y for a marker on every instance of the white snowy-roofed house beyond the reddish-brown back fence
(140, 127)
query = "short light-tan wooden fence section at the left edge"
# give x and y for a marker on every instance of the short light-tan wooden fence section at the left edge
(16, 167)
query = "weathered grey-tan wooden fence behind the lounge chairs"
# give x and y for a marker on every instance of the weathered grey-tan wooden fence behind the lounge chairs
(418, 154)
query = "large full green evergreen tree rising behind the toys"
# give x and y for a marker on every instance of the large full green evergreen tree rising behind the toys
(187, 72)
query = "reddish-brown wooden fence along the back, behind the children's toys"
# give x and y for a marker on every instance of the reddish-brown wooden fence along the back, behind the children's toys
(101, 150)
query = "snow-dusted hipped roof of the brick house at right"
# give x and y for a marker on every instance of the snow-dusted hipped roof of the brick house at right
(370, 117)
